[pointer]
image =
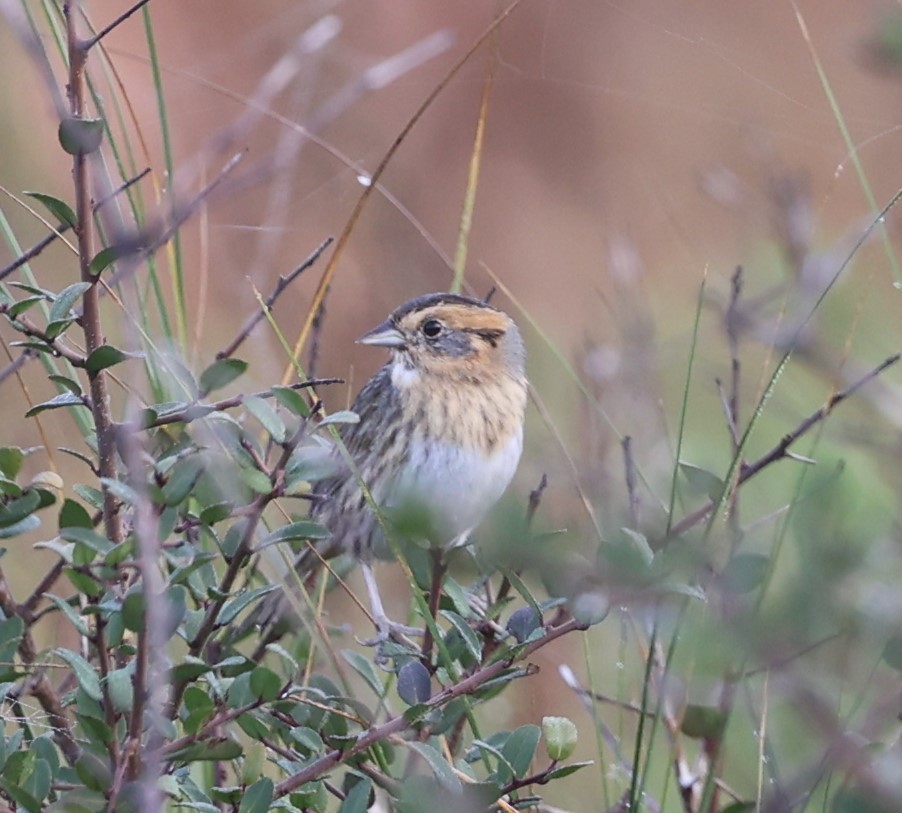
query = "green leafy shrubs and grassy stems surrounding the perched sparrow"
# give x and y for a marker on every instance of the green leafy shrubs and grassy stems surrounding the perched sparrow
(174, 670)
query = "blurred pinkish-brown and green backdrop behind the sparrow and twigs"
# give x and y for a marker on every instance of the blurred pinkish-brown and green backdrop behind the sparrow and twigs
(635, 154)
